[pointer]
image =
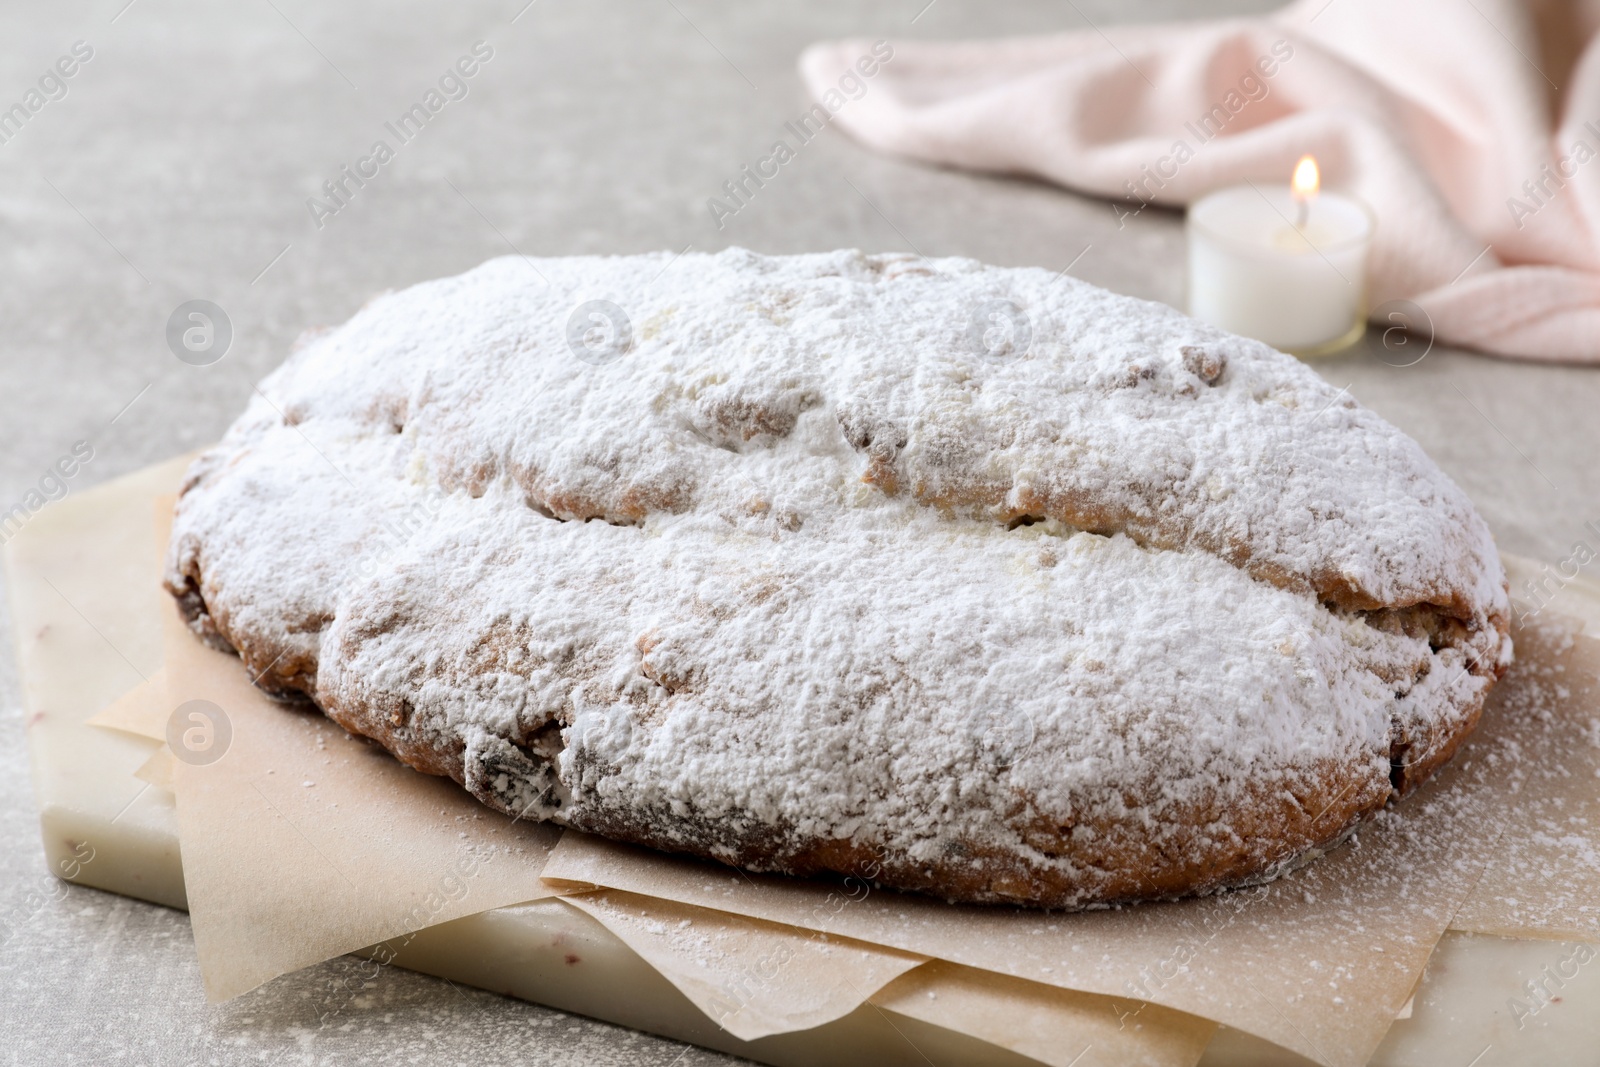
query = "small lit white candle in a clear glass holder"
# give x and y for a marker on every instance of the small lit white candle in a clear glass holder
(1286, 265)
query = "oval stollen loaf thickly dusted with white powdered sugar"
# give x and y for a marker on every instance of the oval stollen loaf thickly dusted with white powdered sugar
(655, 597)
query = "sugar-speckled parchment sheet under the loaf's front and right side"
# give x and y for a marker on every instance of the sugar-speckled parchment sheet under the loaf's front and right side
(1319, 962)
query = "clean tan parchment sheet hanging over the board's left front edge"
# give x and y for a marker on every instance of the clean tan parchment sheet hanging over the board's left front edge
(303, 842)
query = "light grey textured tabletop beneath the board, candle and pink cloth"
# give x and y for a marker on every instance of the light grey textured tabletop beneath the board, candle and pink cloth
(178, 167)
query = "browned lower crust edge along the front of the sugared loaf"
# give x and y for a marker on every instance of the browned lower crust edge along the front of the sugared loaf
(1273, 825)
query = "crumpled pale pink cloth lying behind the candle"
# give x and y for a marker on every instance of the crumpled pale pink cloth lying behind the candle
(1442, 114)
